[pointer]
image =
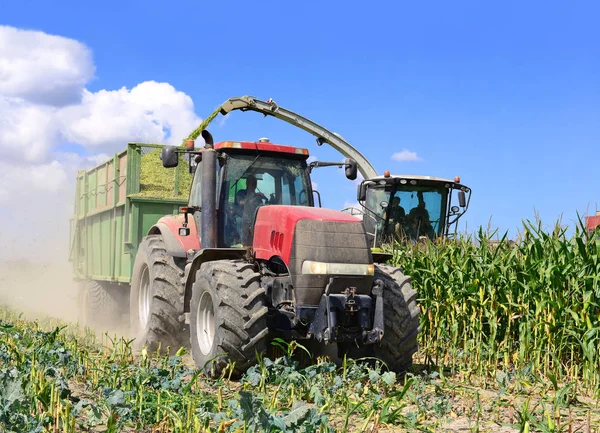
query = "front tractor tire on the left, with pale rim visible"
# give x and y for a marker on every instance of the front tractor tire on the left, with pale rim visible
(228, 317)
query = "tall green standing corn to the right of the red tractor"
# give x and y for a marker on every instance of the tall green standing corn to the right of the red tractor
(533, 304)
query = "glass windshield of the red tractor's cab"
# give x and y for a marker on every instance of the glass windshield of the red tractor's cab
(251, 181)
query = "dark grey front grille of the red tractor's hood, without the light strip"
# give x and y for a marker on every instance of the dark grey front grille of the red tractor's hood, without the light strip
(326, 241)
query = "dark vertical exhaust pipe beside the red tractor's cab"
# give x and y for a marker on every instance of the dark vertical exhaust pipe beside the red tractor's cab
(208, 231)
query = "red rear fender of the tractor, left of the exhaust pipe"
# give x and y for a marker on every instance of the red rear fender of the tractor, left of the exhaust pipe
(177, 246)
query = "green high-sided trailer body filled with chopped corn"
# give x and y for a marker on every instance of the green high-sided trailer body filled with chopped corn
(116, 203)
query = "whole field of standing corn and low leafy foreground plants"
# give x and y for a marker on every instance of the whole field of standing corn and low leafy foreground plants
(509, 340)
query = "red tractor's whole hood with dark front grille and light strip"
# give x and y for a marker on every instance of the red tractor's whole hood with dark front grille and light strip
(316, 245)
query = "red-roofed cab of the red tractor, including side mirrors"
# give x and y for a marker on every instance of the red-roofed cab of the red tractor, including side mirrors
(247, 176)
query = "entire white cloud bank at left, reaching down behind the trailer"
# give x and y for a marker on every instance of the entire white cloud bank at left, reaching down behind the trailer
(43, 105)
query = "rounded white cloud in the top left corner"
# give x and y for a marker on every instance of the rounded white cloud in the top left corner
(43, 68)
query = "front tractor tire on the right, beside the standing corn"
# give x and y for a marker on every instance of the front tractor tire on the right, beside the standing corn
(401, 319)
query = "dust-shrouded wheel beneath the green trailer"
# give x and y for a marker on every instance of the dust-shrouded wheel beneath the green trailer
(100, 305)
